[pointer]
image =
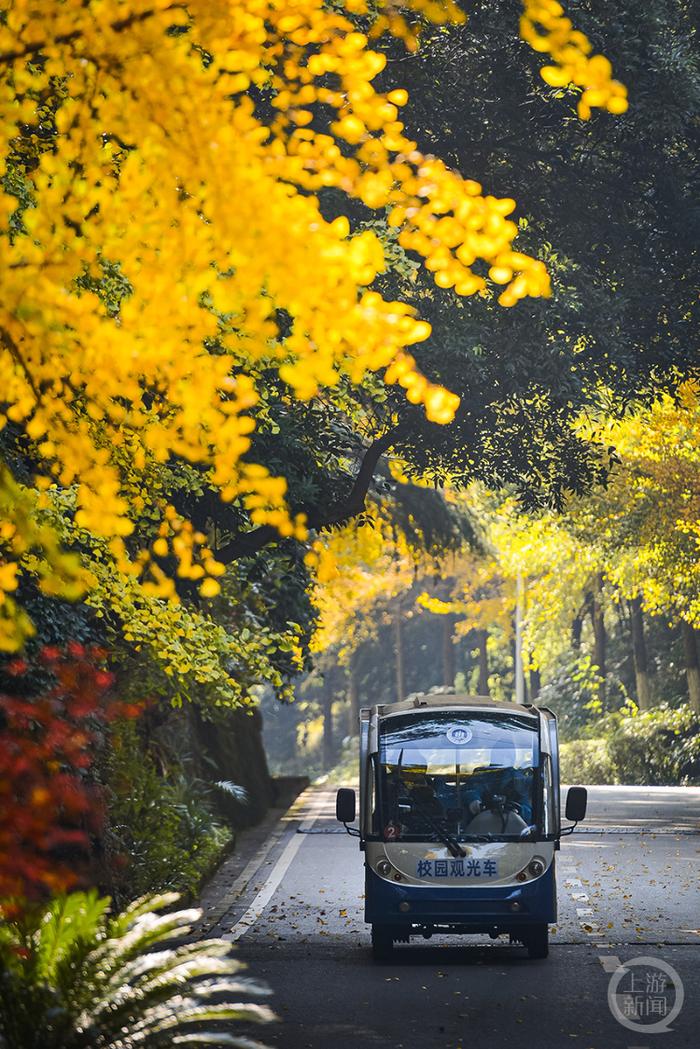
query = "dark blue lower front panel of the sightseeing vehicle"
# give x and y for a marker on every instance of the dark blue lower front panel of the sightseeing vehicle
(477, 910)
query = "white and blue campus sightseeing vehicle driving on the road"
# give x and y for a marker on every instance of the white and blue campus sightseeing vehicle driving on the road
(459, 819)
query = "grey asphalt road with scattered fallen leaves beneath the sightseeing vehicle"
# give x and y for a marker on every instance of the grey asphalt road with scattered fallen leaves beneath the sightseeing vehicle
(629, 889)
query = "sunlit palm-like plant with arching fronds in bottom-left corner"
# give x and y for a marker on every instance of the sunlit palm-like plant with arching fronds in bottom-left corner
(79, 978)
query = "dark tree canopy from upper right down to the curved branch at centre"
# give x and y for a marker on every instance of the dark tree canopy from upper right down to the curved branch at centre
(610, 205)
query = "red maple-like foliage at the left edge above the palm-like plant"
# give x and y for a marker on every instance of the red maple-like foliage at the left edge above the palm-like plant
(49, 807)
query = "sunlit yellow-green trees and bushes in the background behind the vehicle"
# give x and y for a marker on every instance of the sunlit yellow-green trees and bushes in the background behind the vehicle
(426, 594)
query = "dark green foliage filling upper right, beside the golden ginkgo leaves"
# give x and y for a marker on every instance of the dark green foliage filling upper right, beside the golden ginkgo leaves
(625, 293)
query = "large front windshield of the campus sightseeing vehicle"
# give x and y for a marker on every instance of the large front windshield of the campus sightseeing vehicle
(452, 777)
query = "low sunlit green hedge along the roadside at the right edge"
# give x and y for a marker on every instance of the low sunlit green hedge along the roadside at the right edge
(656, 748)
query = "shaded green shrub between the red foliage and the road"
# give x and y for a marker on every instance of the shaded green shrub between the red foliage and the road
(162, 830)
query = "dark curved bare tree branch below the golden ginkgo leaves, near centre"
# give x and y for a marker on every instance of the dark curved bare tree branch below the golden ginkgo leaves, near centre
(250, 543)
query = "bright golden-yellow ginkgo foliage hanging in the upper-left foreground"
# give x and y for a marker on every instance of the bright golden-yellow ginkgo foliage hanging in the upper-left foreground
(163, 245)
